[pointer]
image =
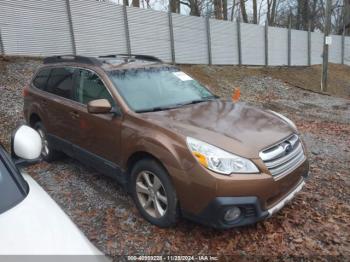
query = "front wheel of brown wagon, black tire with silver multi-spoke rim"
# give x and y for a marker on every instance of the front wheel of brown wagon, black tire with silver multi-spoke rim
(156, 200)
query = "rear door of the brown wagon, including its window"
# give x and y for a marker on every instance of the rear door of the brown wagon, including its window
(62, 121)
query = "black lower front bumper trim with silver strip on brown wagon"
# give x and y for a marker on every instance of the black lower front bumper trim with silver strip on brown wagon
(250, 206)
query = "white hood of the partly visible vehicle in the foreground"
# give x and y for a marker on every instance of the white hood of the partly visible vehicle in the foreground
(38, 226)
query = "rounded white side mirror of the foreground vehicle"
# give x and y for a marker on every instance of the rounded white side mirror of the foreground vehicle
(26, 145)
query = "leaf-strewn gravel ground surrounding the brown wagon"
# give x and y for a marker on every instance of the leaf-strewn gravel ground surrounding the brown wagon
(316, 224)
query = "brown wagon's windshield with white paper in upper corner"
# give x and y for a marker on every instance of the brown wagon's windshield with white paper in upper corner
(155, 89)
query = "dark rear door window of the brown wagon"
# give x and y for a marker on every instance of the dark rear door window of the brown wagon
(61, 82)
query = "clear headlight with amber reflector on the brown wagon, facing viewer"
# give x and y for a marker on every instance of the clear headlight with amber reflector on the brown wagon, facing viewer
(219, 160)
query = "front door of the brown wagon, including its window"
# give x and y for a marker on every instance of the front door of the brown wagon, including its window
(99, 140)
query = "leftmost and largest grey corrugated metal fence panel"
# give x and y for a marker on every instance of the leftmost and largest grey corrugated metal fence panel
(34, 27)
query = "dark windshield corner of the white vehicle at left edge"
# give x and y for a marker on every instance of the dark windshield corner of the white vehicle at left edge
(13, 189)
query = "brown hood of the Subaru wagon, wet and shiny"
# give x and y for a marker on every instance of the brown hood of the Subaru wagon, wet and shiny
(236, 127)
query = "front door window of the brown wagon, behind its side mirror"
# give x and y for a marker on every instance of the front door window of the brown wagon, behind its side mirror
(89, 87)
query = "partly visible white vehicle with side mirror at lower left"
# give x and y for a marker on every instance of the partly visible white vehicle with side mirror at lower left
(31, 223)
